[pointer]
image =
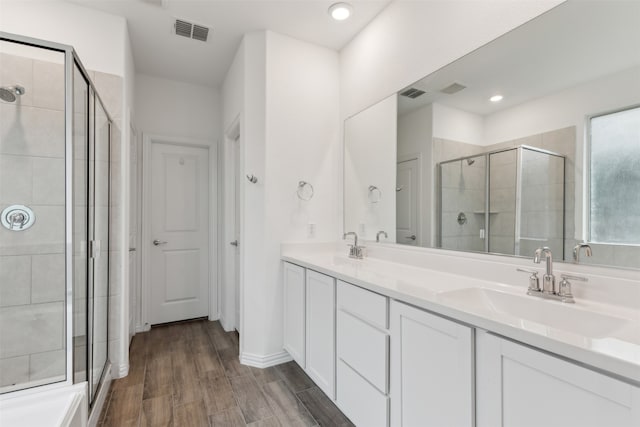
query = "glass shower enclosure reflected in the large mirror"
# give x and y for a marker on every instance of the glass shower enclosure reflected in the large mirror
(509, 202)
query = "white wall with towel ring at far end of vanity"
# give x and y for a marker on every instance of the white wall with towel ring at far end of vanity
(285, 92)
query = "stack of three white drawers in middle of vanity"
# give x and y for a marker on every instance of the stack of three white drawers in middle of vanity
(362, 355)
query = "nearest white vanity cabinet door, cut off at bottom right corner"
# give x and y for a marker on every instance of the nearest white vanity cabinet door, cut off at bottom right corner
(518, 387)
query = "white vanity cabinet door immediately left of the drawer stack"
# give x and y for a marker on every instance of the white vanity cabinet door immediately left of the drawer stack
(320, 326)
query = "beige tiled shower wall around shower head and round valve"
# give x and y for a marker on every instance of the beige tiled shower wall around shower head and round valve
(32, 173)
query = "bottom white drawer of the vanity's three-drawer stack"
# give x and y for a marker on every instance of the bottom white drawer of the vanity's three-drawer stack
(359, 400)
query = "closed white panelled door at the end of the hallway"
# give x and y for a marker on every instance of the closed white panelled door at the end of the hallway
(179, 246)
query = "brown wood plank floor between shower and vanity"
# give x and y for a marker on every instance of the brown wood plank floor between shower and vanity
(188, 374)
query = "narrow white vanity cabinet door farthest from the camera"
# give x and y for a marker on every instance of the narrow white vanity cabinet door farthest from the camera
(294, 311)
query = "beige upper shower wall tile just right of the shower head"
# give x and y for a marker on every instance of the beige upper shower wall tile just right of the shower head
(48, 85)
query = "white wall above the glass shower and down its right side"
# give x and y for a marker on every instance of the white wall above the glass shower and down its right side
(102, 43)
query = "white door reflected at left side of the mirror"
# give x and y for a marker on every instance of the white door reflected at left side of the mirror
(407, 203)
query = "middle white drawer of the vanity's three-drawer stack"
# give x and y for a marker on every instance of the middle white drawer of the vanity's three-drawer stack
(364, 348)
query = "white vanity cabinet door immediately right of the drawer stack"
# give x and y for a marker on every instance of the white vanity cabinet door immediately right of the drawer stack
(431, 369)
